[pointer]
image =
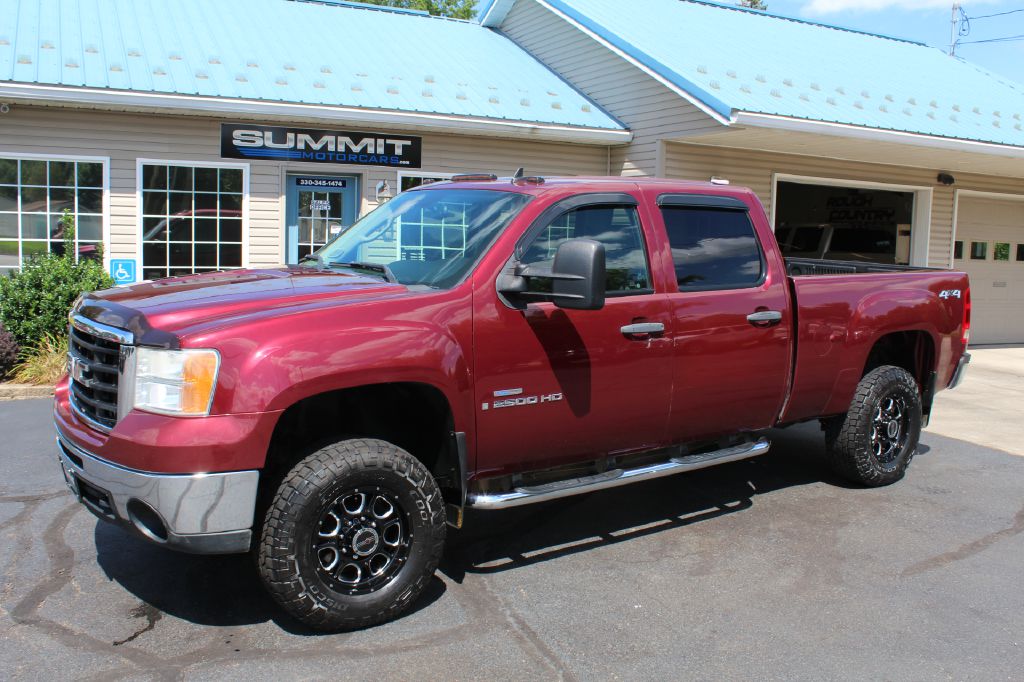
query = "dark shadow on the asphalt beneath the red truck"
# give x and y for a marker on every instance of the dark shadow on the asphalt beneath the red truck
(226, 591)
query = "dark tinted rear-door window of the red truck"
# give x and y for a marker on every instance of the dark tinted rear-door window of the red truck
(713, 248)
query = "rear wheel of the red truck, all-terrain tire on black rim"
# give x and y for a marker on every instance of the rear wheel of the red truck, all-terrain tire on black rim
(863, 446)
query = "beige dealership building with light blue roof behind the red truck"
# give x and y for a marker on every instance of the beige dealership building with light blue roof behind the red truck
(192, 137)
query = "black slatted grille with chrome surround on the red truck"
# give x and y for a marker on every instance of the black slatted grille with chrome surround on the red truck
(94, 366)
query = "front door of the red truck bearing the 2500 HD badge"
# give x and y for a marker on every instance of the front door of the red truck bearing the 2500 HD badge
(558, 386)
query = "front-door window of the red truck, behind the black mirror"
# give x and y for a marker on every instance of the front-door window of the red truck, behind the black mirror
(618, 228)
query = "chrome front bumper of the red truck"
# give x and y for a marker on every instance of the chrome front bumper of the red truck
(198, 514)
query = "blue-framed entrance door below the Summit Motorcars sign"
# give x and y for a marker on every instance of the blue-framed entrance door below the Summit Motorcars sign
(318, 208)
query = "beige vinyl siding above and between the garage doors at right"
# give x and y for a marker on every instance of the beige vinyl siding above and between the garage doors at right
(756, 170)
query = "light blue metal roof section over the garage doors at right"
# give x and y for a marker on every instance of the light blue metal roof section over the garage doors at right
(735, 60)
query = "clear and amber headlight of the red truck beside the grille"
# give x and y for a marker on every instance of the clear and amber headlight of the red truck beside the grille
(176, 382)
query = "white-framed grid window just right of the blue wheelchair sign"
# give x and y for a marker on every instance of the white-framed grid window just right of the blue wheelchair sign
(192, 220)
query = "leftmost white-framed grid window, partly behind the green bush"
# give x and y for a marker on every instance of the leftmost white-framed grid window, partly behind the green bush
(34, 195)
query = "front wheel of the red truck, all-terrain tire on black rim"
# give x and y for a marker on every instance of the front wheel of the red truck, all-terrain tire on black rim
(344, 489)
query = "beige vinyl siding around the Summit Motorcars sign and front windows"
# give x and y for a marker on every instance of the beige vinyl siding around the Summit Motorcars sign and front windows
(126, 138)
